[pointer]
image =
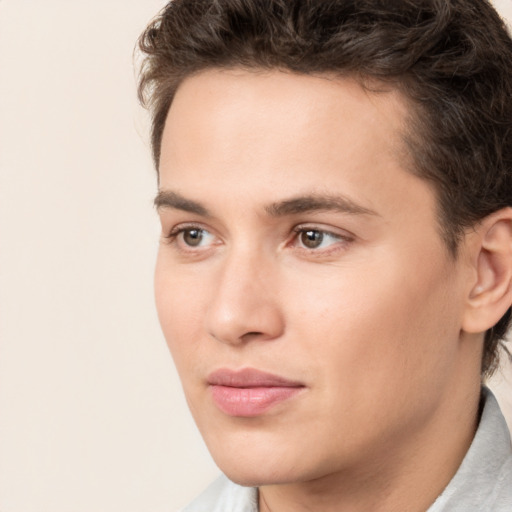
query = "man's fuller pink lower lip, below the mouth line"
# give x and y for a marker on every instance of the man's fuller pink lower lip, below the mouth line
(248, 402)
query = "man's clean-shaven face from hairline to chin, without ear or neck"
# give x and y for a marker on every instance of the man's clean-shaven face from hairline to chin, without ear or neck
(310, 305)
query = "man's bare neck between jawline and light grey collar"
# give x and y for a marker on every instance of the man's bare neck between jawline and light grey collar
(408, 474)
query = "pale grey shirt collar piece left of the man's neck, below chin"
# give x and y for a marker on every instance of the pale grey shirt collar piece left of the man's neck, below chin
(225, 496)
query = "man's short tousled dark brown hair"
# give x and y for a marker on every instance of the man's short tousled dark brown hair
(452, 59)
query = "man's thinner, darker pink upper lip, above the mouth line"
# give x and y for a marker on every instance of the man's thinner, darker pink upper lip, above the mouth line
(249, 378)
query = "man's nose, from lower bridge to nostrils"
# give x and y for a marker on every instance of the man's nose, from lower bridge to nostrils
(245, 303)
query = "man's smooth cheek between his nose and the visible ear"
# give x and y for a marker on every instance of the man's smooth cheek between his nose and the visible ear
(381, 322)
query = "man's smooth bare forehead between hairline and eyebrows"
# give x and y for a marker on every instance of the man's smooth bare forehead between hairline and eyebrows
(276, 134)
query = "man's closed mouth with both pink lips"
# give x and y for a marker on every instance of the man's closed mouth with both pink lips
(250, 392)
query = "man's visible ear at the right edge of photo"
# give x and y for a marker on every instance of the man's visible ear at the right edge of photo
(491, 293)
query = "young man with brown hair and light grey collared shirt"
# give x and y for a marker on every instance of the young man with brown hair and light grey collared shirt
(335, 272)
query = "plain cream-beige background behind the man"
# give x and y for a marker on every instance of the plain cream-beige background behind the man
(91, 412)
